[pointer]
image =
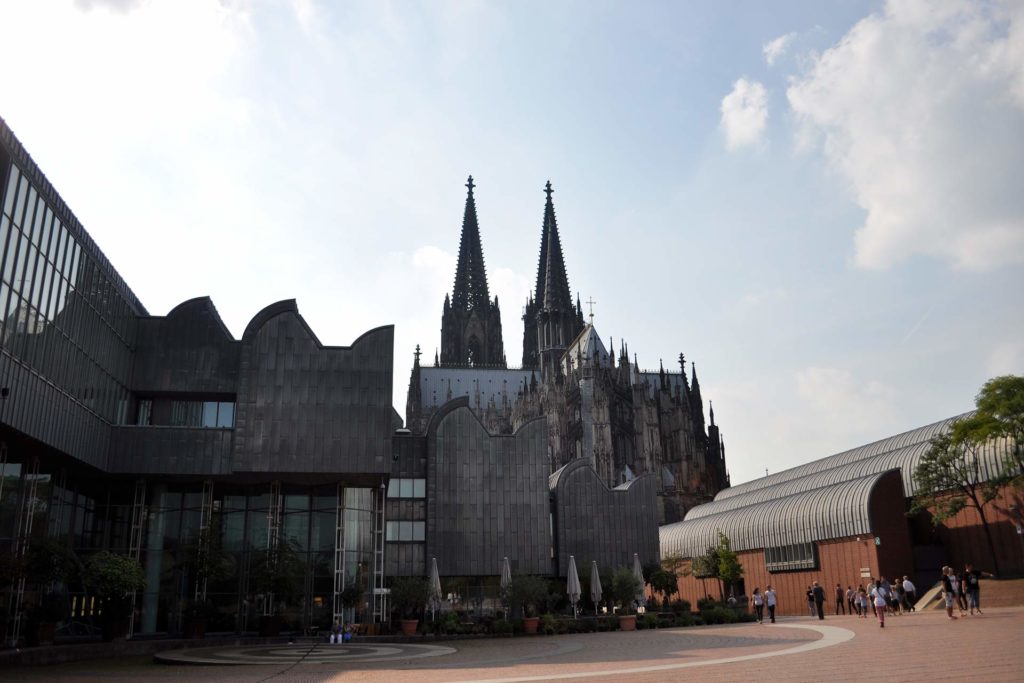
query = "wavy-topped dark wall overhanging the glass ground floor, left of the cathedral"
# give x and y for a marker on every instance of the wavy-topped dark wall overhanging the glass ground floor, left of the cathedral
(304, 407)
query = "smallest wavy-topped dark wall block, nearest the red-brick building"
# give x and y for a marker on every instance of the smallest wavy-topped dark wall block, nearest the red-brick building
(594, 523)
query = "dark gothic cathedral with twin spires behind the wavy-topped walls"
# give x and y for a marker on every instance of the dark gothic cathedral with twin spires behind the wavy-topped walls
(600, 406)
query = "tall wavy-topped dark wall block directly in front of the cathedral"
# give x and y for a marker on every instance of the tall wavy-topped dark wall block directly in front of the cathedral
(487, 496)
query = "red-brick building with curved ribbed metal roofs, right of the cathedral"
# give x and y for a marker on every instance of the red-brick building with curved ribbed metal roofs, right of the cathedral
(843, 520)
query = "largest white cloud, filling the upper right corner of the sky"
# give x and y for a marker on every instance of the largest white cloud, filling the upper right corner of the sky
(920, 110)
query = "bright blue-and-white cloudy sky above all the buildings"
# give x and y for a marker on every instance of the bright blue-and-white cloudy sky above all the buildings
(819, 203)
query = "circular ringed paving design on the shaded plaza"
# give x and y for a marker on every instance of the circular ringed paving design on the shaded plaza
(321, 654)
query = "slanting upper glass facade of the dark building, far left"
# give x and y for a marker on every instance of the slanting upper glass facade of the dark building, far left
(62, 314)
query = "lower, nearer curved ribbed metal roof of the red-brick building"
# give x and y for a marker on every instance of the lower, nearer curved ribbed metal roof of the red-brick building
(830, 513)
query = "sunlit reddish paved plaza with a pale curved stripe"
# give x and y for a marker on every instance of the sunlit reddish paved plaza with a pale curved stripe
(924, 647)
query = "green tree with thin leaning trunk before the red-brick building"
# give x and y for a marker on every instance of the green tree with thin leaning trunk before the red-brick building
(950, 480)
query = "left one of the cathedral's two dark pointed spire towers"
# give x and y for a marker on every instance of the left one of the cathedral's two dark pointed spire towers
(472, 323)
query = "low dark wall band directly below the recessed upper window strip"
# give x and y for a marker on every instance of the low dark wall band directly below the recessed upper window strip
(193, 451)
